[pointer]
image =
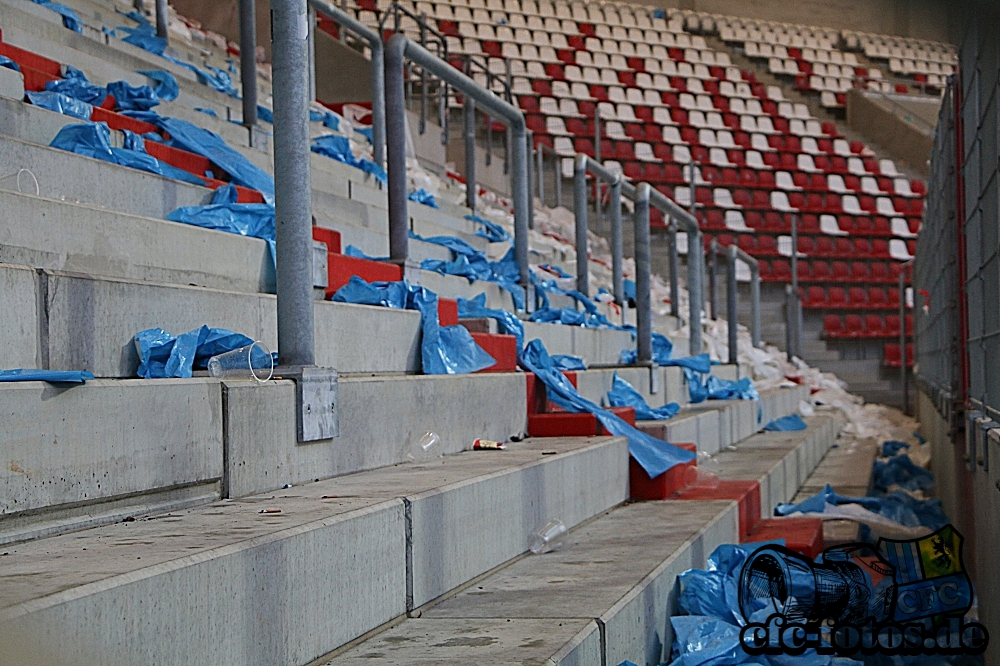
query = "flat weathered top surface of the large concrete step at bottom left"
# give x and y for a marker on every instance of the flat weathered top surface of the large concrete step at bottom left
(37, 569)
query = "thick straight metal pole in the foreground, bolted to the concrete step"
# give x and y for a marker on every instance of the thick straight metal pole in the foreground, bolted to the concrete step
(292, 183)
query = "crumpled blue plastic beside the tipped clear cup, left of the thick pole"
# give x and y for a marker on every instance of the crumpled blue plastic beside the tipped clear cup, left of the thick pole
(163, 355)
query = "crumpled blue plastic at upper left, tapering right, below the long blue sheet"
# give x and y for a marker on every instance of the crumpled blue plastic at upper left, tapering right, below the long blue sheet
(94, 140)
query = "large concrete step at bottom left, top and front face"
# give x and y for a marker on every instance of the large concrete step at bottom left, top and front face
(299, 560)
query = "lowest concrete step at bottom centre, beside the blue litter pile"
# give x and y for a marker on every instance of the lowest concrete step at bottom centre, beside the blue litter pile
(617, 571)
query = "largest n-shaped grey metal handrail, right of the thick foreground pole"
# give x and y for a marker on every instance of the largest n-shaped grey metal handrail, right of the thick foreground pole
(398, 49)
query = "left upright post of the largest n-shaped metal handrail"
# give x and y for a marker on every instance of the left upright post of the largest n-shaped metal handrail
(395, 131)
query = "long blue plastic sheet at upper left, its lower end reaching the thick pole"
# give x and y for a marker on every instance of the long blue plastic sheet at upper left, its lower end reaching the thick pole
(199, 141)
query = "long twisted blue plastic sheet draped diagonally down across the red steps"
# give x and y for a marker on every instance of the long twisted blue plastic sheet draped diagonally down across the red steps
(653, 455)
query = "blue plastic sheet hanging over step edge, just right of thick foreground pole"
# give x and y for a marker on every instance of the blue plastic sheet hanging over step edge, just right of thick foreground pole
(444, 350)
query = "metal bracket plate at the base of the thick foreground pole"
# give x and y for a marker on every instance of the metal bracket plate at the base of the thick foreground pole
(317, 407)
